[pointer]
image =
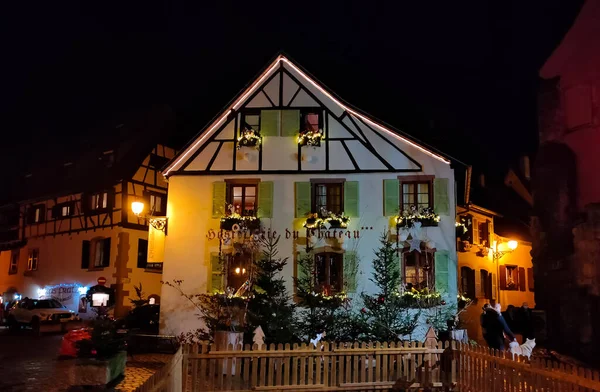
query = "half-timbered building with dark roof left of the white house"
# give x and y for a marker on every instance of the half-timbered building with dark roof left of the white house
(71, 224)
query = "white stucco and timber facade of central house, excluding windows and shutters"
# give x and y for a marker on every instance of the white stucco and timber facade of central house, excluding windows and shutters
(354, 149)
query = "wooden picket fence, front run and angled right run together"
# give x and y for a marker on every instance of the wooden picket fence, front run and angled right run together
(401, 366)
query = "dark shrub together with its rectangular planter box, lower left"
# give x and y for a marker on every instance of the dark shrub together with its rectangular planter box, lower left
(101, 358)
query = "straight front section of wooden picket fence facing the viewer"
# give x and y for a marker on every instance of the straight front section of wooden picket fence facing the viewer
(332, 367)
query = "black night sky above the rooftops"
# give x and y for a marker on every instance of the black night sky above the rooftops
(469, 65)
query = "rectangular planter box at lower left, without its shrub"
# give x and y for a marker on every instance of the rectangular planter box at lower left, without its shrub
(97, 372)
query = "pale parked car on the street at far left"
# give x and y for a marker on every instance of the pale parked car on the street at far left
(35, 312)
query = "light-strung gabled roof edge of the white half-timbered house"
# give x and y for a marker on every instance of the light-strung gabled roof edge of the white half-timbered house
(283, 62)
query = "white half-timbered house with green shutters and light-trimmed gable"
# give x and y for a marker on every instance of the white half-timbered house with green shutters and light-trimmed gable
(356, 166)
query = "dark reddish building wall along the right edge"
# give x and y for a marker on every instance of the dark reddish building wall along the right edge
(567, 191)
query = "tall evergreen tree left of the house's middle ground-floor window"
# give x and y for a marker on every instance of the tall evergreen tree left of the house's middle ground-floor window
(270, 305)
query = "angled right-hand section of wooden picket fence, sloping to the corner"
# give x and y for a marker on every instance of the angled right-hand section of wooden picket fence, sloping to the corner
(482, 369)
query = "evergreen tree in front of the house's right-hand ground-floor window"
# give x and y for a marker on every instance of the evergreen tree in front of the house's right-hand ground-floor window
(388, 317)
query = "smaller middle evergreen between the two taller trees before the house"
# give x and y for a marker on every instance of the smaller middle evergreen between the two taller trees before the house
(317, 309)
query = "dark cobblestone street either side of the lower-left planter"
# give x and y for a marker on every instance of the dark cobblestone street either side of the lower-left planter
(30, 363)
